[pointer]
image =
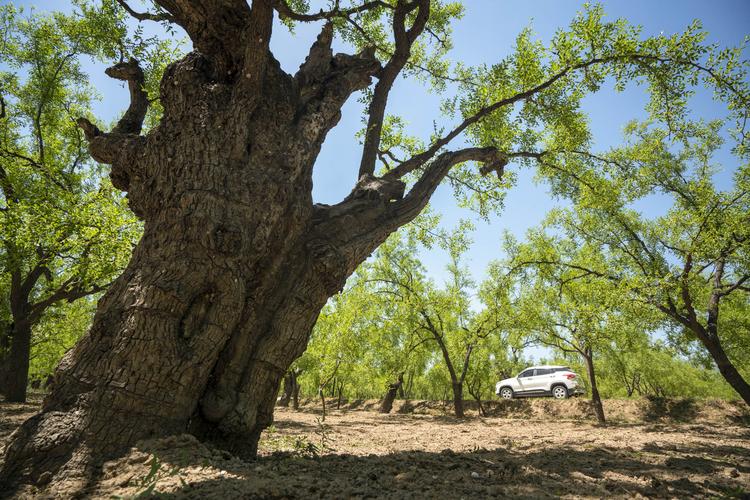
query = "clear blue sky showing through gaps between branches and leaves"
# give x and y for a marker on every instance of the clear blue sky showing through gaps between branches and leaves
(485, 35)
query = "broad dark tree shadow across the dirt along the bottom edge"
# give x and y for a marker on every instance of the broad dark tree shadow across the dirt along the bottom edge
(502, 472)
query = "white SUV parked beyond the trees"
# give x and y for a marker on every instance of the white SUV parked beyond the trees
(556, 381)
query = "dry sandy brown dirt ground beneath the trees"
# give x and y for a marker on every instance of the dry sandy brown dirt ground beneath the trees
(523, 449)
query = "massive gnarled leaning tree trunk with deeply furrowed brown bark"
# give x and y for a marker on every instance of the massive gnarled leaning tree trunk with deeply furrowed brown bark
(236, 261)
